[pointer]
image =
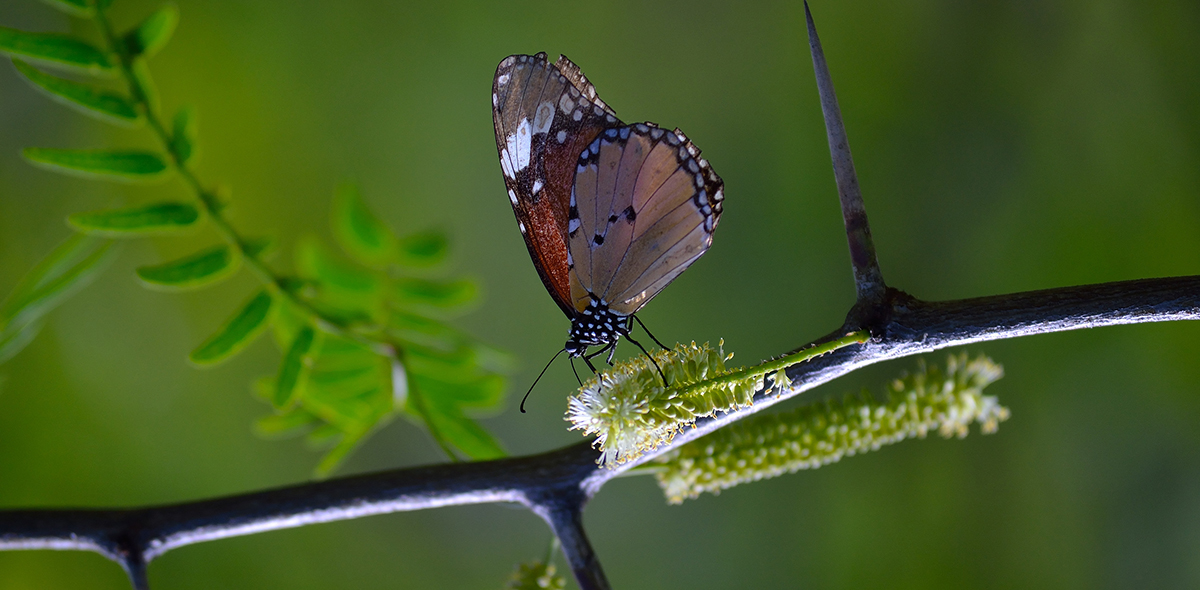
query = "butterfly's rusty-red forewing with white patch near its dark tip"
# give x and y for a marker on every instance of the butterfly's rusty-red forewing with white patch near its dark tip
(545, 115)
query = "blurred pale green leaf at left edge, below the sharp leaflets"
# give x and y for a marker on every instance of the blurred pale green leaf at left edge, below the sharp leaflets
(62, 273)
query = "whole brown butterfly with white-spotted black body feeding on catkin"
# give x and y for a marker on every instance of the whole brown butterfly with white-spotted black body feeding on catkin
(611, 213)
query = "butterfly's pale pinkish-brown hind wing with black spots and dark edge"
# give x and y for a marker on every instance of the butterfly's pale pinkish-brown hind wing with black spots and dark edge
(644, 208)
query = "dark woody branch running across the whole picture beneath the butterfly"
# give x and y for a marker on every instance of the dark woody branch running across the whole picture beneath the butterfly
(556, 485)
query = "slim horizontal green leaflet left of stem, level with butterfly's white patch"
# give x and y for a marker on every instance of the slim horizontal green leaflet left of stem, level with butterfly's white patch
(109, 165)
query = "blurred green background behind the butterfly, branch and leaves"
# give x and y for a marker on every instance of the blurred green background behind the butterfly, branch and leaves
(1001, 146)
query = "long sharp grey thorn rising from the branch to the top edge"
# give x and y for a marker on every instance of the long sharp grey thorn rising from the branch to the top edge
(868, 279)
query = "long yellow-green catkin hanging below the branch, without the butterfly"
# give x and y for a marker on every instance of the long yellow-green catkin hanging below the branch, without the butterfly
(813, 436)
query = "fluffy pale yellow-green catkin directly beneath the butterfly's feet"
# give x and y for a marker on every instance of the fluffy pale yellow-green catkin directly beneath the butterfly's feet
(632, 413)
